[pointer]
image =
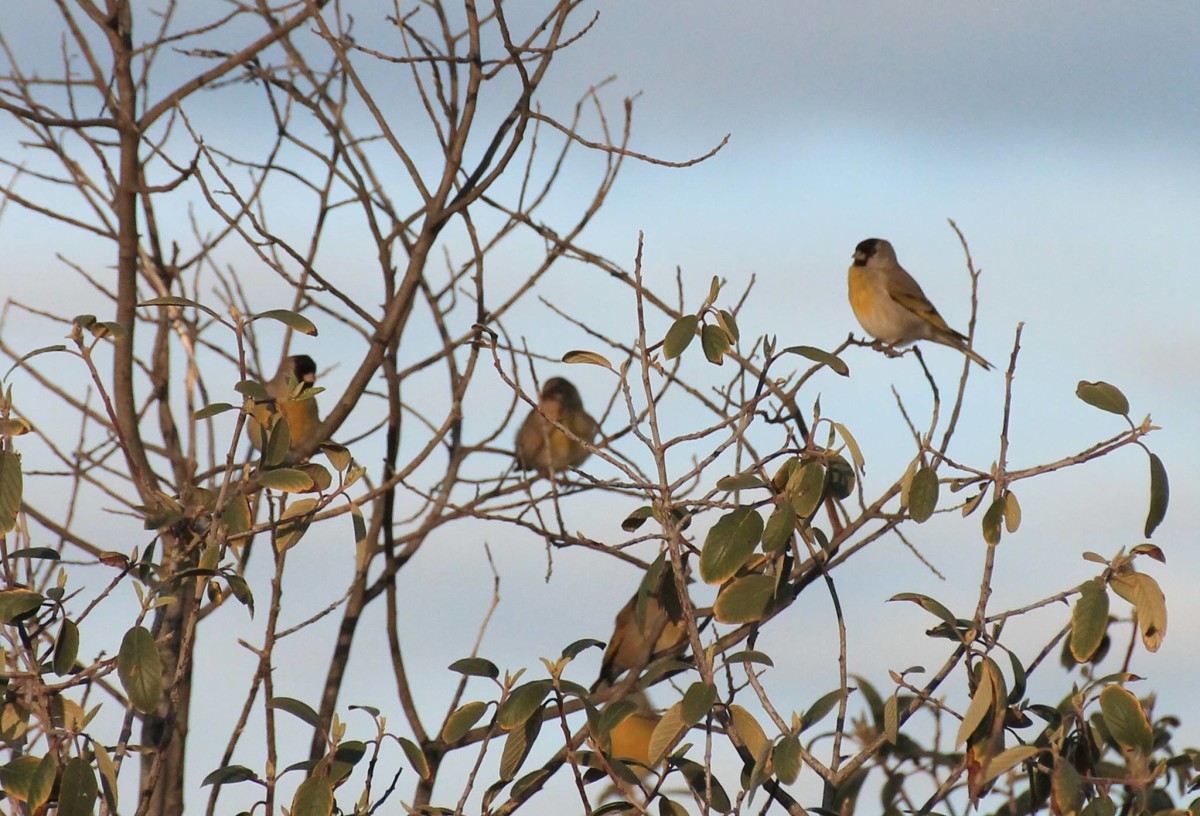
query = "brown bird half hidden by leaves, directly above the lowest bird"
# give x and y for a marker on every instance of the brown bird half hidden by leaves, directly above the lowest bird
(633, 646)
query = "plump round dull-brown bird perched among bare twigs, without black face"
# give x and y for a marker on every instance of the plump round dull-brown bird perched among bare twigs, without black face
(544, 448)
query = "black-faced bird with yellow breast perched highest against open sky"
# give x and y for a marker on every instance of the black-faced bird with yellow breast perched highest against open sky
(891, 305)
